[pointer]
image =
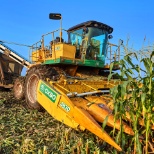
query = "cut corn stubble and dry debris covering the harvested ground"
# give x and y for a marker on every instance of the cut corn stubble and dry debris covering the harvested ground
(25, 131)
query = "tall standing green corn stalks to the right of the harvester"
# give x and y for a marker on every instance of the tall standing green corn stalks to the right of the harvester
(134, 101)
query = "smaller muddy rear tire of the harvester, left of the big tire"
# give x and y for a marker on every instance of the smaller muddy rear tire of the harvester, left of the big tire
(18, 88)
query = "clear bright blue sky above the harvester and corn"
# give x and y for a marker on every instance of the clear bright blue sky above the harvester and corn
(24, 21)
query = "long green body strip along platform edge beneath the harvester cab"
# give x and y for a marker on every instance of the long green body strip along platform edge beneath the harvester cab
(86, 62)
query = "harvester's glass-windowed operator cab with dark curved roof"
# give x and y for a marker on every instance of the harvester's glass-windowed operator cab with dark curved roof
(90, 39)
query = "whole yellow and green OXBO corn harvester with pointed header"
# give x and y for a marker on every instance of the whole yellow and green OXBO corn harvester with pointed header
(69, 79)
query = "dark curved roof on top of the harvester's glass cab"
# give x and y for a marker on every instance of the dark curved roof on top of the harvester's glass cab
(92, 23)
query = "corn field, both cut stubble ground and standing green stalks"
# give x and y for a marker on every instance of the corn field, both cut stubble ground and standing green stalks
(25, 131)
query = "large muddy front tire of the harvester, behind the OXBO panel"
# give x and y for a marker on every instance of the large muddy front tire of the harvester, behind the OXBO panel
(33, 76)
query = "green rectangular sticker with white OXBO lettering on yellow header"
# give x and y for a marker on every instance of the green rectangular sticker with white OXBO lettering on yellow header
(48, 92)
